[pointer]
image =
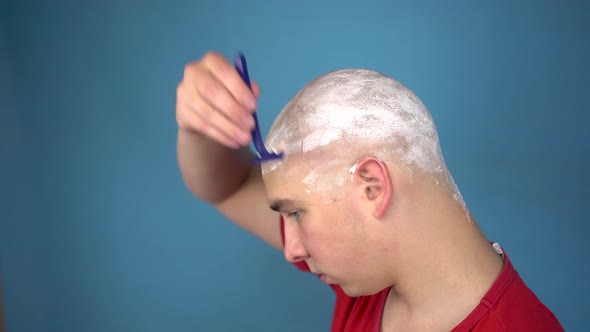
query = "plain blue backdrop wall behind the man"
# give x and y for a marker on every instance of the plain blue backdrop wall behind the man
(98, 232)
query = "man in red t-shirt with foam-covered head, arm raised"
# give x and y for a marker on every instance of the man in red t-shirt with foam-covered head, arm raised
(363, 196)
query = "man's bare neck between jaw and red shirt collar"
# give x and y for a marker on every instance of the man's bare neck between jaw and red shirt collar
(445, 266)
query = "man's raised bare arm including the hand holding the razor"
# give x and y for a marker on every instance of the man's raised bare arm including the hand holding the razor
(214, 114)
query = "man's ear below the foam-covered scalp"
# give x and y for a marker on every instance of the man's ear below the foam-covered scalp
(373, 178)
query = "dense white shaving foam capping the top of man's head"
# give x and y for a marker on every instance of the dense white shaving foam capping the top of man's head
(355, 106)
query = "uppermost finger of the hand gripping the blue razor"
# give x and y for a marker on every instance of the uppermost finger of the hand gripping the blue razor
(225, 72)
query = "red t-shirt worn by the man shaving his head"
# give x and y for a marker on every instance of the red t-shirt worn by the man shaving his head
(509, 305)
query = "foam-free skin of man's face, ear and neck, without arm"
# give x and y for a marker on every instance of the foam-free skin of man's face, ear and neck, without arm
(389, 229)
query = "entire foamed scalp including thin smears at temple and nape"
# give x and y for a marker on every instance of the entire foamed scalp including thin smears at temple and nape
(350, 113)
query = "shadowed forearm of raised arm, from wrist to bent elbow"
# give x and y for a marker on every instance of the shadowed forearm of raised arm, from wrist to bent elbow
(211, 171)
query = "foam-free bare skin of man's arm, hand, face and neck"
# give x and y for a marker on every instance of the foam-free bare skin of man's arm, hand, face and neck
(387, 230)
